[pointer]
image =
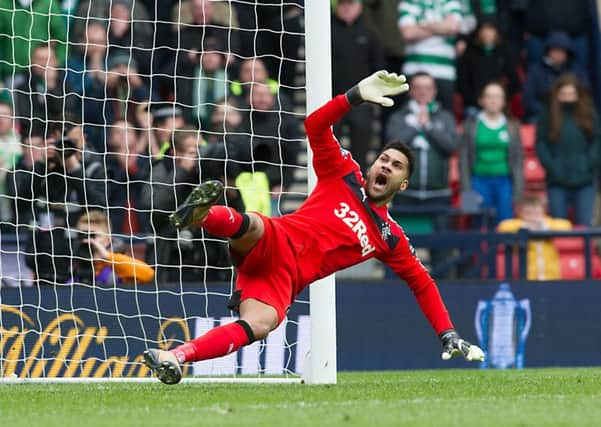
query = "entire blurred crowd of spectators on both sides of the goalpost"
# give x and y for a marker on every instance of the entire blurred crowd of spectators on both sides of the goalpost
(123, 106)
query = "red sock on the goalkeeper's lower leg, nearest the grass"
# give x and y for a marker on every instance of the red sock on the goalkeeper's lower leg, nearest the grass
(215, 343)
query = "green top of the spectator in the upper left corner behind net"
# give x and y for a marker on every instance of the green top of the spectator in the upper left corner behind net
(23, 25)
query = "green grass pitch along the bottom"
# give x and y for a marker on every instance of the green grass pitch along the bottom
(545, 397)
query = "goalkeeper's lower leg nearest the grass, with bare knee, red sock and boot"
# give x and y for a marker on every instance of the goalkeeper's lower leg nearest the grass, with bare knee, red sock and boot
(257, 319)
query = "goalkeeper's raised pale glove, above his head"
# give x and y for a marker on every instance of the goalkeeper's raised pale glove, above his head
(377, 87)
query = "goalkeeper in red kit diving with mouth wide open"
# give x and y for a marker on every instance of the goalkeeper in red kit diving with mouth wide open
(343, 222)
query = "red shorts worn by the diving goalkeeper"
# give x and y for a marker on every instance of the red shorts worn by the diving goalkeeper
(268, 272)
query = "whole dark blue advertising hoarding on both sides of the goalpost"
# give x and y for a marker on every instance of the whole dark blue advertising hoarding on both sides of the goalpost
(85, 331)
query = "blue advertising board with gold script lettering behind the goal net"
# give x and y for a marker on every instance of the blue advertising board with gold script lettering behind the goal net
(84, 331)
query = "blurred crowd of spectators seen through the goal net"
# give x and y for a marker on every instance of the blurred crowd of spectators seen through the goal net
(117, 109)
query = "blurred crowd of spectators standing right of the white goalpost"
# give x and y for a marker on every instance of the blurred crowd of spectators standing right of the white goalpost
(479, 71)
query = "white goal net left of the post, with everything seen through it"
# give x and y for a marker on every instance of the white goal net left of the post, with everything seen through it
(111, 112)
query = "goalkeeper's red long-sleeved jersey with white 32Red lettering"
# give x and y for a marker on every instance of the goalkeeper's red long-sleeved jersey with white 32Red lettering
(337, 226)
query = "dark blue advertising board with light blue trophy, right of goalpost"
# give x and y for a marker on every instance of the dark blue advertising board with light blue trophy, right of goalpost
(543, 324)
